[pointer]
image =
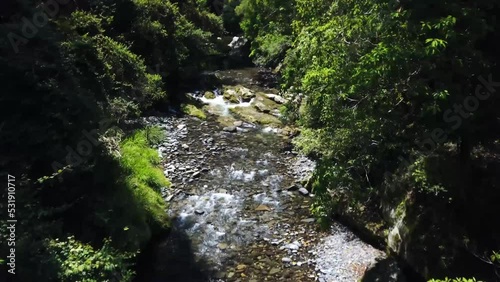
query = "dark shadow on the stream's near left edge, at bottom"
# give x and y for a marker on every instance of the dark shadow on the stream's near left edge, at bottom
(171, 258)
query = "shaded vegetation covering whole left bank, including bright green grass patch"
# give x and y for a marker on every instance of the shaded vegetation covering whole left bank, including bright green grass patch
(88, 186)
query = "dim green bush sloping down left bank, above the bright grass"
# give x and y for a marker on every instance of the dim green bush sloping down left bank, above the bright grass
(112, 73)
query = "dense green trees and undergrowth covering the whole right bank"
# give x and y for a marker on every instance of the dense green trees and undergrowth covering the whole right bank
(400, 107)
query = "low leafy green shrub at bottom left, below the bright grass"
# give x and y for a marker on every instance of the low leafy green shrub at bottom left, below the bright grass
(81, 262)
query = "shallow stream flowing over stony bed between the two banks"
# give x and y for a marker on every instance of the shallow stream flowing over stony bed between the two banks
(239, 211)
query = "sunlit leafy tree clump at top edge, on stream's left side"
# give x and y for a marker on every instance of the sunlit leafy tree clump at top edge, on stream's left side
(165, 33)
